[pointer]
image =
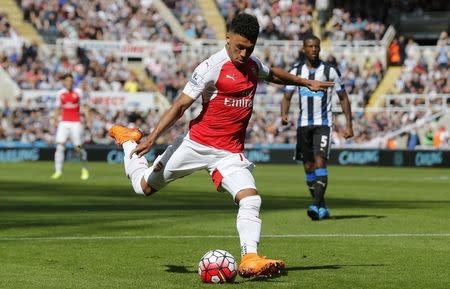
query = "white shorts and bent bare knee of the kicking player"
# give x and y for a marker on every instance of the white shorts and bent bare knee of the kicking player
(229, 171)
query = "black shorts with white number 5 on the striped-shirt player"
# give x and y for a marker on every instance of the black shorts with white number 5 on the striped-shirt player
(312, 141)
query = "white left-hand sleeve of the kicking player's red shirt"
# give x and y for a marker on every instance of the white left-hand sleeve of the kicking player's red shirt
(203, 78)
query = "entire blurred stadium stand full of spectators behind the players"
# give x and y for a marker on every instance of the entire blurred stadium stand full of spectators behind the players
(393, 61)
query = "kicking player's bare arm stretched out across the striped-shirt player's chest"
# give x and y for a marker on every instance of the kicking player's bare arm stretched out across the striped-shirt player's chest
(280, 76)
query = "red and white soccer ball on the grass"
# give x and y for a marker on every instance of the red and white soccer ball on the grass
(217, 266)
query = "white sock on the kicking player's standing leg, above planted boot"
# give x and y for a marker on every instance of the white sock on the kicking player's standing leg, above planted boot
(248, 224)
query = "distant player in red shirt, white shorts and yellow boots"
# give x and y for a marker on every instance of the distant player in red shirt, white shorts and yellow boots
(69, 127)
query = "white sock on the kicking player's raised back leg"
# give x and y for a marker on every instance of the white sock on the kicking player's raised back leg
(134, 167)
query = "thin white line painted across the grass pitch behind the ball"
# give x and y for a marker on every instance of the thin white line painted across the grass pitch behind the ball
(63, 238)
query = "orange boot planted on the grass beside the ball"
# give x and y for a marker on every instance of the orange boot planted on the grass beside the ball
(253, 265)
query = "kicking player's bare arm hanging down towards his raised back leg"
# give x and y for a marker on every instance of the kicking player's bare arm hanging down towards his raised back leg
(169, 117)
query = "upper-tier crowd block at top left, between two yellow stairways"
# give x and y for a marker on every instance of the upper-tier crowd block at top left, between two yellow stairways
(96, 20)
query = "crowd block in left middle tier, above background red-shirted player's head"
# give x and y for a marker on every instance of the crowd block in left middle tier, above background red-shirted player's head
(33, 68)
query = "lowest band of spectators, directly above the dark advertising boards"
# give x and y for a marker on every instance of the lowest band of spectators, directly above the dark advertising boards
(33, 123)
